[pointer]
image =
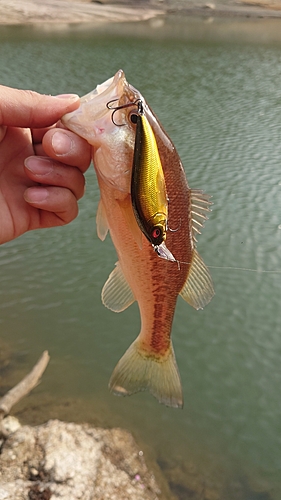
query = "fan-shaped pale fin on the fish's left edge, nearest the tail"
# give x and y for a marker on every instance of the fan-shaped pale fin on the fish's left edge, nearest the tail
(116, 294)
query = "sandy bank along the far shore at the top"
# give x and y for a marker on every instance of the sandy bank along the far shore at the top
(80, 11)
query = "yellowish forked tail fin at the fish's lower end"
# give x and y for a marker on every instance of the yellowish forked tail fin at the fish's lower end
(136, 371)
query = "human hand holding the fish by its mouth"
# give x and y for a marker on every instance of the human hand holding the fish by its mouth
(41, 167)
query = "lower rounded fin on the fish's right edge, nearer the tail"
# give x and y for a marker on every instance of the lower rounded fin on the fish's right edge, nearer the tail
(198, 289)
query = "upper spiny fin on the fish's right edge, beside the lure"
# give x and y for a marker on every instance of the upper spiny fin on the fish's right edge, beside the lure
(200, 203)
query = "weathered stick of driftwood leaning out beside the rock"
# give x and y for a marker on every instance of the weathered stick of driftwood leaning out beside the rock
(24, 387)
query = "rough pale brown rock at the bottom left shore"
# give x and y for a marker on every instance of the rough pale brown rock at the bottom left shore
(67, 461)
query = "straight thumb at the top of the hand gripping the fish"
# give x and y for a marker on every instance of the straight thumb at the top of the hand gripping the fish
(25, 108)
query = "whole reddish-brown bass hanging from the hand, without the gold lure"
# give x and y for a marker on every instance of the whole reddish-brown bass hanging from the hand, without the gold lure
(104, 120)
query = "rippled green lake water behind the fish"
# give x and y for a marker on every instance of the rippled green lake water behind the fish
(216, 87)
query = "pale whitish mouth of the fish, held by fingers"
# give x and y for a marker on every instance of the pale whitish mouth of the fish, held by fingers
(87, 120)
